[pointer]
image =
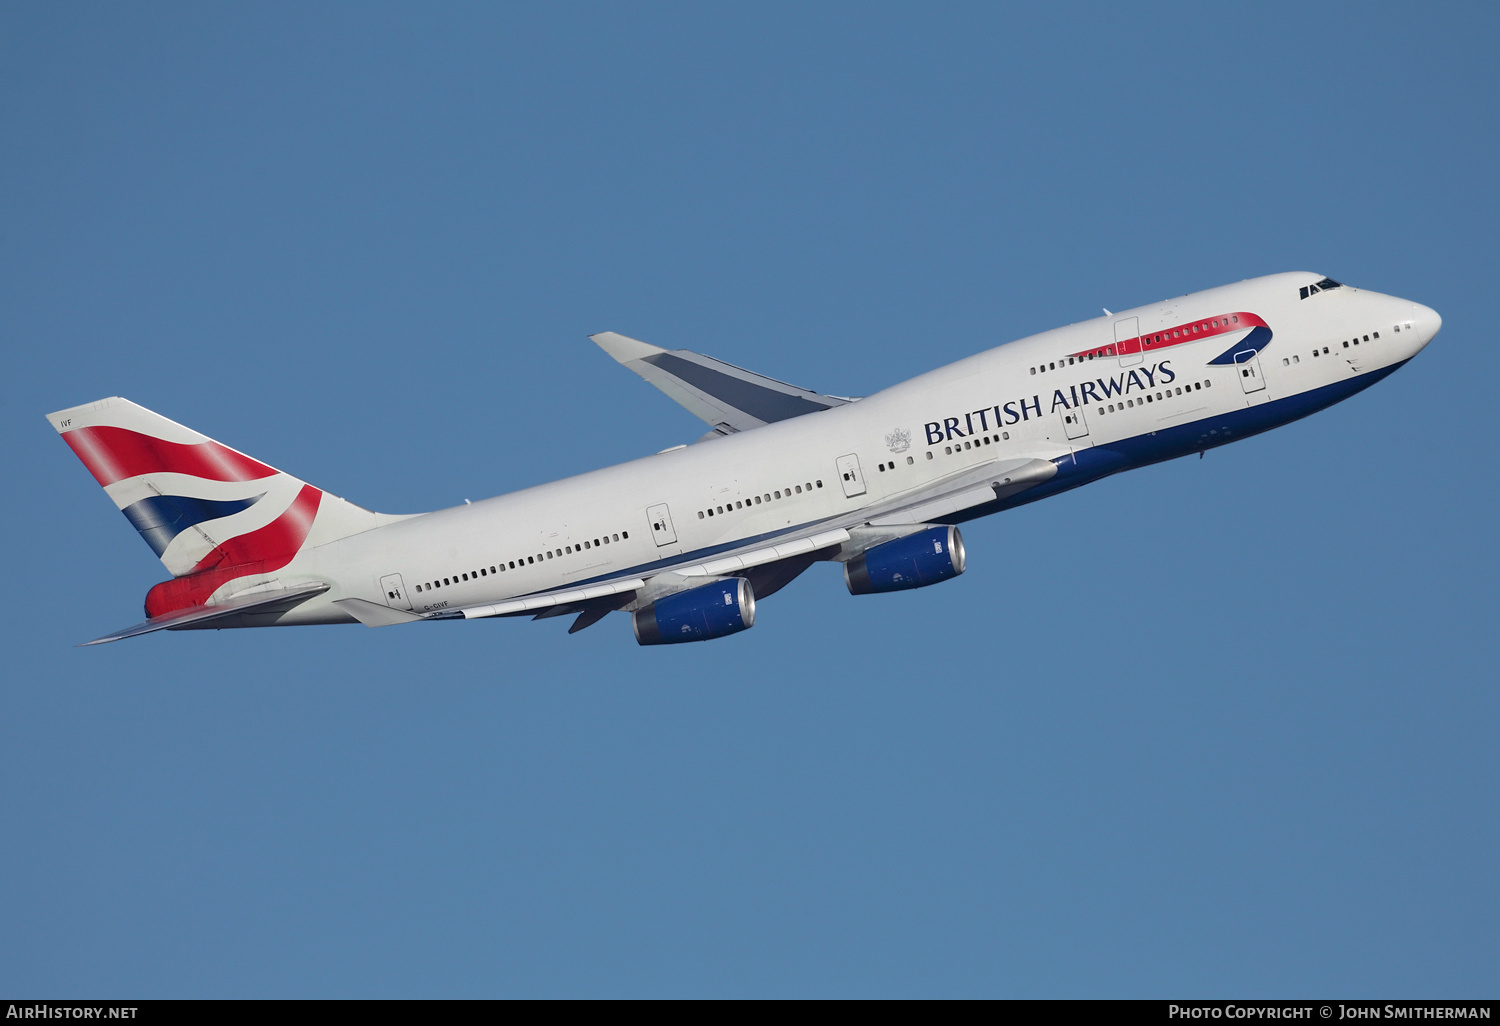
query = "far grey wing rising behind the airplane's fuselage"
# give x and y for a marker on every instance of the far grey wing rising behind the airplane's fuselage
(724, 397)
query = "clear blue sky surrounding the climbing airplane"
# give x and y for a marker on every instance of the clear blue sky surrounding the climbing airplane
(1216, 728)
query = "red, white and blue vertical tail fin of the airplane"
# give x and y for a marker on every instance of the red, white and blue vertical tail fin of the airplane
(203, 508)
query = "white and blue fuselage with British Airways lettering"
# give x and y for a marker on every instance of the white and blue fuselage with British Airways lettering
(1013, 401)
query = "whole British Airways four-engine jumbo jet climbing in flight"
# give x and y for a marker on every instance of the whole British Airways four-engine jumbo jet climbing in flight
(686, 541)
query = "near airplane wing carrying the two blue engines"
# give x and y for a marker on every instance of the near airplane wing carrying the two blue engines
(772, 563)
